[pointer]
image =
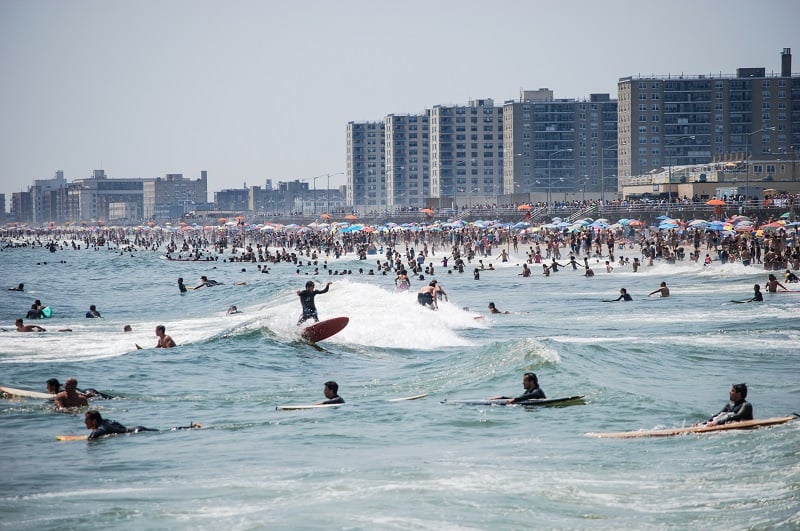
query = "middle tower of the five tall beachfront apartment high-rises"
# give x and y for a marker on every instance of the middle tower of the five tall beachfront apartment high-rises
(466, 152)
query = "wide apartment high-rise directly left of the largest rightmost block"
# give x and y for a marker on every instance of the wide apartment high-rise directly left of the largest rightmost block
(559, 146)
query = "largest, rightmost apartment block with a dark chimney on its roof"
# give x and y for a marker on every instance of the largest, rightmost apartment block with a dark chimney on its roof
(687, 120)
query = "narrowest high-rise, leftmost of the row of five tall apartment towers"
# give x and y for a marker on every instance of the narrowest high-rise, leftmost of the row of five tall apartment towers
(366, 167)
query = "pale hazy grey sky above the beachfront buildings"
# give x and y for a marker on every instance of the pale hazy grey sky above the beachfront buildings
(252, 90)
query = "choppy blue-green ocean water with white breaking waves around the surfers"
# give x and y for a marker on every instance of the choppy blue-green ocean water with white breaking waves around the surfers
(649, 363)
